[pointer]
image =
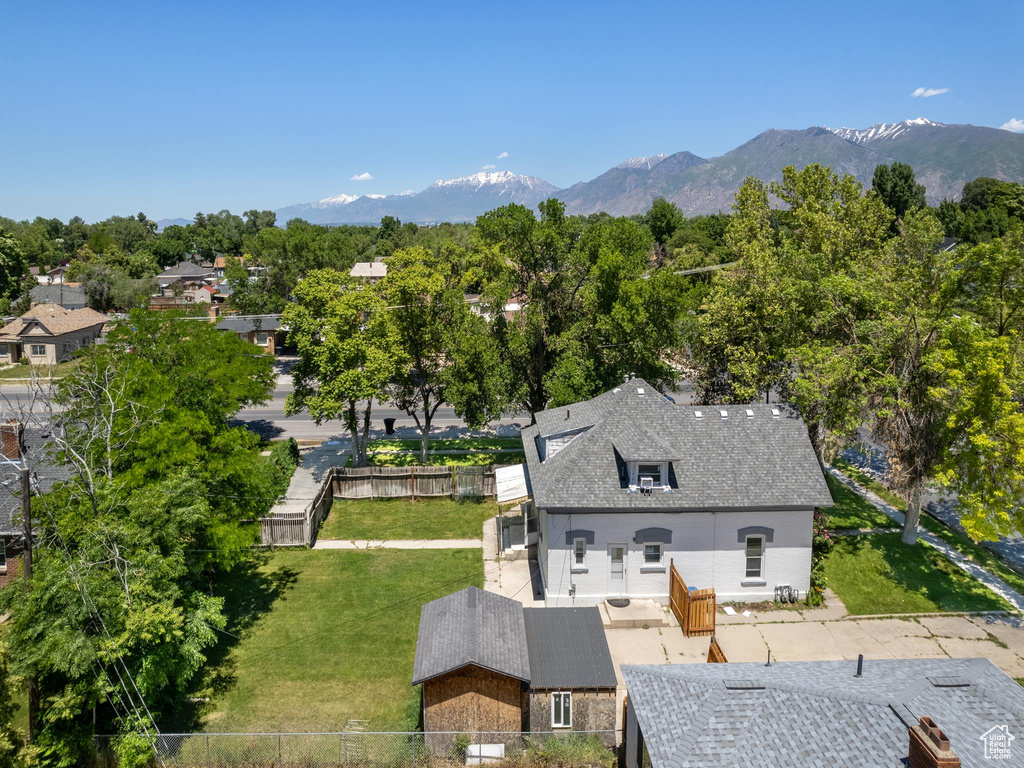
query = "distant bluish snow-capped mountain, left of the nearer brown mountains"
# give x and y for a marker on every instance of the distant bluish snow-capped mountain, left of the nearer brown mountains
(461, 199)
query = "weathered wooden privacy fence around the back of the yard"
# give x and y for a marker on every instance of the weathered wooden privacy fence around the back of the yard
(300, 529)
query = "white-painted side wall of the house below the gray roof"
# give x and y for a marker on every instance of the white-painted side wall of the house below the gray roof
(706, 548)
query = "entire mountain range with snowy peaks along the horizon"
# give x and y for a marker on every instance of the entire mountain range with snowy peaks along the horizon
(945, 157)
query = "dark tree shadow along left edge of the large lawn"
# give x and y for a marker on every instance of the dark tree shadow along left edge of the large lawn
(249, 594)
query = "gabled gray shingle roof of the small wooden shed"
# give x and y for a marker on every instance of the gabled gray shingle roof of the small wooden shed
(472, 627)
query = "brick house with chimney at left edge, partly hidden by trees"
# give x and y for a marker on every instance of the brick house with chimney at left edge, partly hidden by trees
(18, 445)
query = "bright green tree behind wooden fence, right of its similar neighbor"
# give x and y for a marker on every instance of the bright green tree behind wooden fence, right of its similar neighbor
(440, 343)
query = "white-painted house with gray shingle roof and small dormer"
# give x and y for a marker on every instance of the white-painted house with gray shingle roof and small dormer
(628, 483)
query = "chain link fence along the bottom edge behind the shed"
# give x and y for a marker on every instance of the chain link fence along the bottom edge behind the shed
(499, 750)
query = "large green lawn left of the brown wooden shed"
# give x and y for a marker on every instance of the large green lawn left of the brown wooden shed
(325, 636)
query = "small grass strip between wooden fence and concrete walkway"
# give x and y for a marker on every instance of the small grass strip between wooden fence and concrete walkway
(404, 519)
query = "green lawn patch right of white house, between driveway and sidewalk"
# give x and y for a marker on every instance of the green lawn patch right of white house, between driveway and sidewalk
(878, 574)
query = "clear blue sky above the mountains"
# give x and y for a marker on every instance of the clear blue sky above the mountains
(119, 108)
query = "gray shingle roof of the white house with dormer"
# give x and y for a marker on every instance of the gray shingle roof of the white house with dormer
(762, 462)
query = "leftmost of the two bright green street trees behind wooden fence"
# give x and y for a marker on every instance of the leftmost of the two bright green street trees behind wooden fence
(349, 354)
